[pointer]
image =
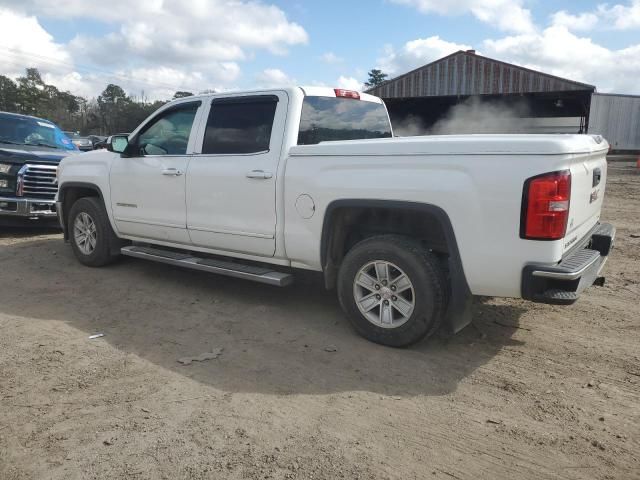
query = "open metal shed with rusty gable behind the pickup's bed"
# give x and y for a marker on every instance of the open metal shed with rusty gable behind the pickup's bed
(427, 94)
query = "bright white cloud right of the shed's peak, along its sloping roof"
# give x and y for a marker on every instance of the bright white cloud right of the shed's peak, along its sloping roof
(558, 51)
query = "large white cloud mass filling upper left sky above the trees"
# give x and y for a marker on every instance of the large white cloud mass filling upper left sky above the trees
(158, 46)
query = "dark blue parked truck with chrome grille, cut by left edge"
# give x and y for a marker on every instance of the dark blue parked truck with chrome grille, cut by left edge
(30, 150)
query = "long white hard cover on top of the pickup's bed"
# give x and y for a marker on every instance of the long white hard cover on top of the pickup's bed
(461, 145)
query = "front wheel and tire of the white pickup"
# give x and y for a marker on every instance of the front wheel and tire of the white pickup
(92, 239)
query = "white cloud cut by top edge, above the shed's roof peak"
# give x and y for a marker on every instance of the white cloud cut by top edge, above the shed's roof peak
(508, 15)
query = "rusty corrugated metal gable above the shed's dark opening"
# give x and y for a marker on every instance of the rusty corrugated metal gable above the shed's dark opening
(465, 73)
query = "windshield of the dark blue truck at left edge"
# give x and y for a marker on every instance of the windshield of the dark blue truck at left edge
(19, 130)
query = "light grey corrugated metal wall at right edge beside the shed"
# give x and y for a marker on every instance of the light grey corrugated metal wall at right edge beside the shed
(616, 118)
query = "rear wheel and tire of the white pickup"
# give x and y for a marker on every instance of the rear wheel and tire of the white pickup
(393, 290)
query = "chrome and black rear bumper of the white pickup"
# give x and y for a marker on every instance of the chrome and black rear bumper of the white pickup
(564, 282)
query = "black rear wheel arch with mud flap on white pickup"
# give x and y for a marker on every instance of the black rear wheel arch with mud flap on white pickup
(342, 216)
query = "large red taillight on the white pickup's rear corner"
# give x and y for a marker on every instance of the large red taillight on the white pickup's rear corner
(545, 206)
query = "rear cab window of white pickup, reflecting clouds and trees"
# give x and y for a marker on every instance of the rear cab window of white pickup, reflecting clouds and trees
(327, 118)
